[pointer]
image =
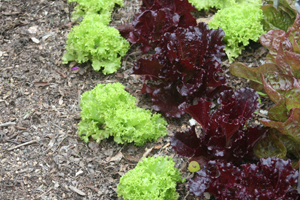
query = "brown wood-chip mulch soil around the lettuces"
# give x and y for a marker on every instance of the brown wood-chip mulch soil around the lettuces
(41, 156)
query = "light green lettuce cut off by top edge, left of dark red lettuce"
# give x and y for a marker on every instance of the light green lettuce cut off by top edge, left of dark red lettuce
(103, 7)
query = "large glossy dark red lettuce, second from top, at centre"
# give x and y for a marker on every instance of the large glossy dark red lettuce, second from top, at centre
(186, 64)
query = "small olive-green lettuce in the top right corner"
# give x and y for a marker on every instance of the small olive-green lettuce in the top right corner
(280, 18)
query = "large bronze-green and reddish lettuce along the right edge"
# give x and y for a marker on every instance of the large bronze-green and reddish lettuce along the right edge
(280, 78)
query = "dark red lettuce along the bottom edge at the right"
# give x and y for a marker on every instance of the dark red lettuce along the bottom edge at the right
(271, 178)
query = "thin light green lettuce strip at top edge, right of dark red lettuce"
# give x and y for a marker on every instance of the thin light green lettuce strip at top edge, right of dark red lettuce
(220, 4)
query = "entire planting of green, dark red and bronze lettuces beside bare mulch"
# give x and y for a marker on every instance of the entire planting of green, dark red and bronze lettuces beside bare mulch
(184, 75)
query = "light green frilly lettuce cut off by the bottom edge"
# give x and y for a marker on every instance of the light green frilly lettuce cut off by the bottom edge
(151, 179)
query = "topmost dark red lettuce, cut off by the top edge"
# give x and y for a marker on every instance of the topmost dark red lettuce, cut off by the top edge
(156, 18)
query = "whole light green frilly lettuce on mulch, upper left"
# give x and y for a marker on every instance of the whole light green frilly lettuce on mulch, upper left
(93, 40)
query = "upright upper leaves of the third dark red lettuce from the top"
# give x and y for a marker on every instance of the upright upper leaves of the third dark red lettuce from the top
(235, 110)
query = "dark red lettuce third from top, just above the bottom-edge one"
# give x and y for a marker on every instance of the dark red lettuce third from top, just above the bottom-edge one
(223, 135)
